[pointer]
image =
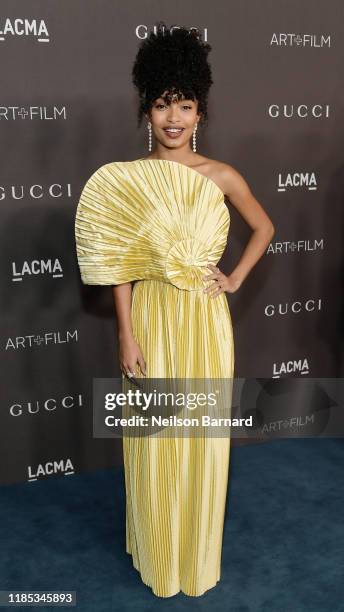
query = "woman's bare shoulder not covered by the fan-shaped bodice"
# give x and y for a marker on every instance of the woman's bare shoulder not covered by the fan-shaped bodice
(228, 179)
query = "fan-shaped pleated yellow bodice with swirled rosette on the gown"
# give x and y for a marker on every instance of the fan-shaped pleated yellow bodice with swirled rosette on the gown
(150, 219)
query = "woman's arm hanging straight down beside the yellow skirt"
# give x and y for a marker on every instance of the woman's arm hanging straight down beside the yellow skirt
(130, 353)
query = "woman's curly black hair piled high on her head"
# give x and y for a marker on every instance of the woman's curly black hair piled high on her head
(172, 60)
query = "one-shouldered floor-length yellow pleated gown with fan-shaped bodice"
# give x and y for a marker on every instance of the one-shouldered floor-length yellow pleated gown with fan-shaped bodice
(159, 223)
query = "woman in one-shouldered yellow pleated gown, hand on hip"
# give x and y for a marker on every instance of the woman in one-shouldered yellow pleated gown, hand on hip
(161, 221)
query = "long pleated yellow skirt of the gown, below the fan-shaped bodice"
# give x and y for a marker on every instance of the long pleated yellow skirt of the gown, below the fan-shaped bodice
(176, 487)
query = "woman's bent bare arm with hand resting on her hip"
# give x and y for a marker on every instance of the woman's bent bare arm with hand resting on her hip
(240, 196)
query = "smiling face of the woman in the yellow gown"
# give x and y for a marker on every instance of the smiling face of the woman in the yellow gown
(173, 123)
